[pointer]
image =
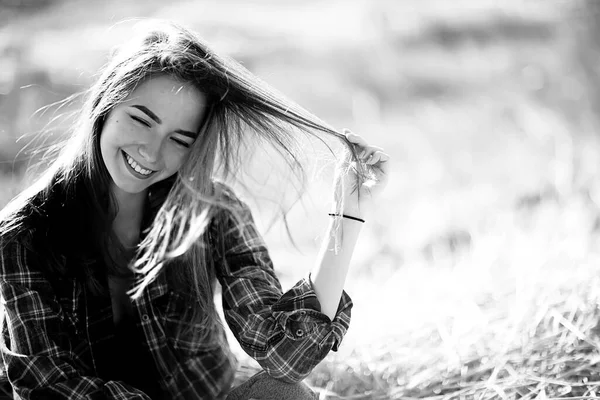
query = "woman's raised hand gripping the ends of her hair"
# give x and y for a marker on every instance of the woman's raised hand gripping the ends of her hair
(358, 201)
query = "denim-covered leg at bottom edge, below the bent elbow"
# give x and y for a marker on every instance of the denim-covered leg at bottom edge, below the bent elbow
(262, 387)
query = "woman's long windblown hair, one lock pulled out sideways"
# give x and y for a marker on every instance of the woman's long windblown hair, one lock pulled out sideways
(241, 108)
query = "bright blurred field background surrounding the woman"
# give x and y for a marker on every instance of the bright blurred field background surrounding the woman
(479, 274)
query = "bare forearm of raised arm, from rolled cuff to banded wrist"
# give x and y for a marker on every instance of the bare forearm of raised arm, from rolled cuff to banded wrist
(331, 267)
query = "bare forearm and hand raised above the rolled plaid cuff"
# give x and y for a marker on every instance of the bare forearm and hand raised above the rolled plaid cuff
(333, 262)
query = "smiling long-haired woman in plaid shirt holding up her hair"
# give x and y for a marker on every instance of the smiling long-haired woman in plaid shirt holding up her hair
(108, 262)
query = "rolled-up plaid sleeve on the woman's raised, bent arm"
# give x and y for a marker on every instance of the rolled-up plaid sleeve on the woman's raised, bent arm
(286, 333)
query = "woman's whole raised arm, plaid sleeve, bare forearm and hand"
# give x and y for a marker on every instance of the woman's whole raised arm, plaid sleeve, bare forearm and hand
(288, 333)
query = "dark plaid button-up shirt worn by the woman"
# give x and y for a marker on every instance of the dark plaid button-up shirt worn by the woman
(57, 337)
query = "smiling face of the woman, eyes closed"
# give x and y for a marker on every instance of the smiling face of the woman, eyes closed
(146, 138)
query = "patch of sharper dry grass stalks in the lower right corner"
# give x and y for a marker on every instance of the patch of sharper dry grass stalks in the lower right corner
(552, 348)
